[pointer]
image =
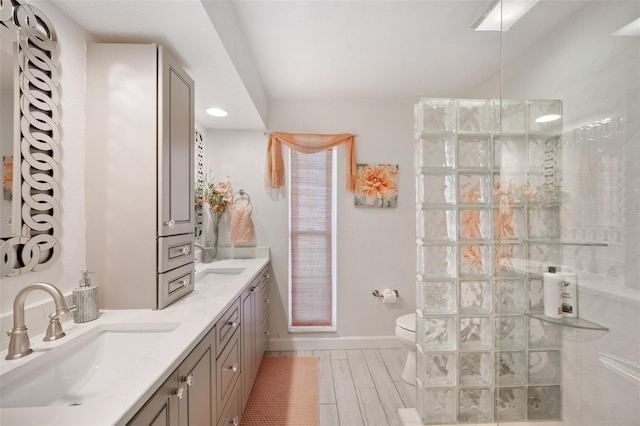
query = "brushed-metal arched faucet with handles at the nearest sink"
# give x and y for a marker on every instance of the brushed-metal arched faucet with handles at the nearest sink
(19, 344)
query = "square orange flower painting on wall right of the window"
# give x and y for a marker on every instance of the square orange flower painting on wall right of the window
(377, 185)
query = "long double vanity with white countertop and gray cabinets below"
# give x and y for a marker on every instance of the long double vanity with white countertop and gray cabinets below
(193, 362)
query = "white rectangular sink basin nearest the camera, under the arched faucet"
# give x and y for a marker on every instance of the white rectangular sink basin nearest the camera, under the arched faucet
(81, 369)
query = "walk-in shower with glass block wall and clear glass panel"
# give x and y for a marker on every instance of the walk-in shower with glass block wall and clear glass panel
(539, 167)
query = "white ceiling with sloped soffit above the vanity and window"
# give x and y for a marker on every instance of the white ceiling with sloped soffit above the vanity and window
(242, 53)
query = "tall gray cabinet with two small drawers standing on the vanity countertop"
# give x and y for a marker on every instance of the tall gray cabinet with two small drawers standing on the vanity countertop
(139, 175)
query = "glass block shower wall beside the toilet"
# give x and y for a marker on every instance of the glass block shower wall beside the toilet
(488, 204)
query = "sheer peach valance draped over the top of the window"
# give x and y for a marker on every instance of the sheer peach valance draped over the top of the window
(307, 144)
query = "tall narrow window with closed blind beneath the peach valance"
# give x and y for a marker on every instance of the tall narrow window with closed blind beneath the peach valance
(312, 217)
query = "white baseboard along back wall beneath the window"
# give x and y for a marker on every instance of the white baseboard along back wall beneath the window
(327, 343)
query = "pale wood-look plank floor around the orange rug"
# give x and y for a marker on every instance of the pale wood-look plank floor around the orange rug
(360, 387)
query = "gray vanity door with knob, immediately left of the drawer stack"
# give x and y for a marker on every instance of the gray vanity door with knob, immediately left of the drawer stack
(196, 375)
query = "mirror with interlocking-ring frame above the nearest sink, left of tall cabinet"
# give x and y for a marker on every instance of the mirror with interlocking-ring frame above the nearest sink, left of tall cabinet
(31, 176)
